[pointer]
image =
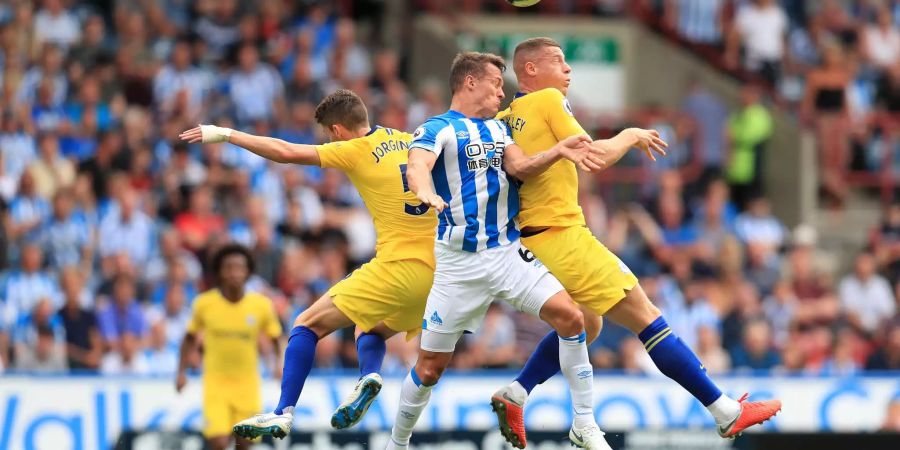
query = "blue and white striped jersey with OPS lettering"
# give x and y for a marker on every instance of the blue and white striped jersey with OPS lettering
(469, 176)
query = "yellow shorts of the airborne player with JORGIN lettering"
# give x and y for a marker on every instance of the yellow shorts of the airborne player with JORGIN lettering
(393, 292)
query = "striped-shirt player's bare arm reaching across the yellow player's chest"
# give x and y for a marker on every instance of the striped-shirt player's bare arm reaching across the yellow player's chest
(574, 148)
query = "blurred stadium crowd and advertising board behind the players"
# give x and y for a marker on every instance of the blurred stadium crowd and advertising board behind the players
(770, 237)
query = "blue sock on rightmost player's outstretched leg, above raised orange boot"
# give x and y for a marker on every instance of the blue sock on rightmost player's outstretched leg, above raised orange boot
(678, 362)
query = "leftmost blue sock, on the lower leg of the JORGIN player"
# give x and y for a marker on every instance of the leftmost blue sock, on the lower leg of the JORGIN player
(298, 361)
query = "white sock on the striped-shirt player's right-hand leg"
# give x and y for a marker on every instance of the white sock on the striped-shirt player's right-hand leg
(576, 367)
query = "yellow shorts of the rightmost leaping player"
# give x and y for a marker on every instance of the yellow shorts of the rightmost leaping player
(591, 274)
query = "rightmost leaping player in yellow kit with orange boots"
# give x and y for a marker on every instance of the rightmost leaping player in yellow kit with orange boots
(554, 229)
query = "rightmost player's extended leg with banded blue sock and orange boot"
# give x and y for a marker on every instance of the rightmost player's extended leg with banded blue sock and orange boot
(678, 362)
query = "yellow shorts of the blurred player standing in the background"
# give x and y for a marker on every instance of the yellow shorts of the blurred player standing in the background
(226, 403)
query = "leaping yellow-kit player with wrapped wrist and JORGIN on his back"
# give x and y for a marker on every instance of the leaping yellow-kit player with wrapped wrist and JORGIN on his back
(385, 296)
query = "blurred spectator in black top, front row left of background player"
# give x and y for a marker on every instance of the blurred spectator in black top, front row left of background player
(83, 344)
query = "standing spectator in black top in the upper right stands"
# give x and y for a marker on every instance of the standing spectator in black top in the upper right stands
(825, 105)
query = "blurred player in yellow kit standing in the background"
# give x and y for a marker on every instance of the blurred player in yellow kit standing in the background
(230, 321)
